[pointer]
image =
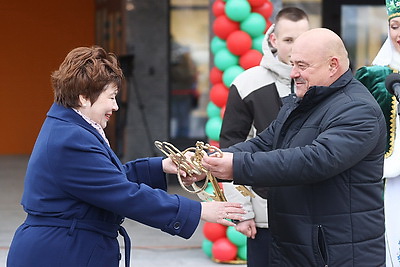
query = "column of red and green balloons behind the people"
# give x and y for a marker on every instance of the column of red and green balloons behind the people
(238, 29)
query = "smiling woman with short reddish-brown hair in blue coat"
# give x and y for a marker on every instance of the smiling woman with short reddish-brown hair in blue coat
(77, 192)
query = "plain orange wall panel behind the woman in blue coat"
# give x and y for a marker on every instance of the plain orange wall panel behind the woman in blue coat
(35, 38)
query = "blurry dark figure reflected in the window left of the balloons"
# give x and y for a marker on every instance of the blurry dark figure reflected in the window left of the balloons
(184, 95)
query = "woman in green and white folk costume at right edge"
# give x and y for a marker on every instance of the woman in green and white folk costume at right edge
(373, 77)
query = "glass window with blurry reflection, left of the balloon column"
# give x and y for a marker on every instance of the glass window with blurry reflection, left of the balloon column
(189, 68)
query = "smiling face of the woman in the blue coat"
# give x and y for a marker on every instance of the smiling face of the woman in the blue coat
(101, 110)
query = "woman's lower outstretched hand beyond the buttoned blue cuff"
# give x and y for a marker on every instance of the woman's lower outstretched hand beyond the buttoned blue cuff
(219, 212)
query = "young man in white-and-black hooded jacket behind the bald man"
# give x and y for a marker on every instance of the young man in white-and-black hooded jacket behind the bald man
(253, 102)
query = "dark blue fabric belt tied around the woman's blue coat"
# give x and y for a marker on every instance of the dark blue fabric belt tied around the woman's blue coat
(104, 228)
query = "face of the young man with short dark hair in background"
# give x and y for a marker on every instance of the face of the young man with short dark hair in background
(286, 31)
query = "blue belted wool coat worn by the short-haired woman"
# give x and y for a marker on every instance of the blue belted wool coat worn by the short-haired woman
(77, 194)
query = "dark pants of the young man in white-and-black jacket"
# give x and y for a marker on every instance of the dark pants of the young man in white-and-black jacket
(258, 248)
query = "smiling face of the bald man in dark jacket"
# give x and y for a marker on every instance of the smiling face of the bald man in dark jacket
(310, 68)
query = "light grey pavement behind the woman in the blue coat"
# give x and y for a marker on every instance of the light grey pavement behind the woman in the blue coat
(150, 247)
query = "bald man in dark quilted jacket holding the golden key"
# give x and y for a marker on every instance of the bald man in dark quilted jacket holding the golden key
(323, 161)
